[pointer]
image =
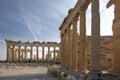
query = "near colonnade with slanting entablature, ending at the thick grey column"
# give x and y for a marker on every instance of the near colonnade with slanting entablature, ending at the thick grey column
(73, 57)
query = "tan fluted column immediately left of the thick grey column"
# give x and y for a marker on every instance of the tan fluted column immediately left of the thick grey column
(82, 39)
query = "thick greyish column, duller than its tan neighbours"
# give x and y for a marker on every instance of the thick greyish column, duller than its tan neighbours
(95, 46)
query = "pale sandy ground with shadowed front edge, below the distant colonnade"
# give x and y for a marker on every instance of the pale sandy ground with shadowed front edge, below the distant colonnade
(24, 71)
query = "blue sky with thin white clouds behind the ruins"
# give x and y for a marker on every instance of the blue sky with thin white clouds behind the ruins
(39, 20)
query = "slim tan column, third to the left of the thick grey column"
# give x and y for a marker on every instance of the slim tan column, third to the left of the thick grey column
(70, 46)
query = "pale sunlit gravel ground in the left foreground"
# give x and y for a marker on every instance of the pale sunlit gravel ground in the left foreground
(26, 73)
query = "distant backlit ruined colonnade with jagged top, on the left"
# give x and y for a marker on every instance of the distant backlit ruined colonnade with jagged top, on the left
(19, 51)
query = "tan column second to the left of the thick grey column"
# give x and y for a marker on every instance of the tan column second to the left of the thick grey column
(75, 45)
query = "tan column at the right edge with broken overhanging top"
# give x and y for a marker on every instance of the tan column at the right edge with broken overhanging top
(116, 36)
